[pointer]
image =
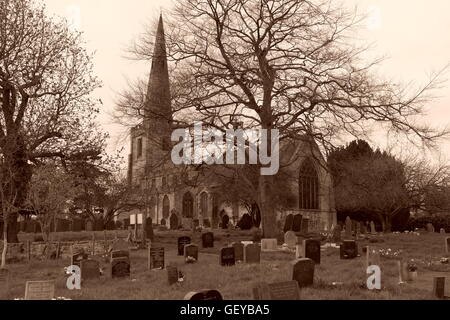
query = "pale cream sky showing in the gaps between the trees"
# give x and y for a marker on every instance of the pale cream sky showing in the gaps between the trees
(412, 34)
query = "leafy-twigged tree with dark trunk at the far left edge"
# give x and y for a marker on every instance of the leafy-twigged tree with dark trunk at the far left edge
(46, 83)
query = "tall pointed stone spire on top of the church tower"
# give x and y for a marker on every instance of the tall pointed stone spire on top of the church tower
(158, 111)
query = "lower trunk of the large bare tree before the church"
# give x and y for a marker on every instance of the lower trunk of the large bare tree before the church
(268, 214)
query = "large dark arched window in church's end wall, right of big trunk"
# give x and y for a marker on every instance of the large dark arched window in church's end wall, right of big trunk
(308, 186)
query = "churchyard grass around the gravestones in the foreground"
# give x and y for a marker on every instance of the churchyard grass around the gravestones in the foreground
(236, 283)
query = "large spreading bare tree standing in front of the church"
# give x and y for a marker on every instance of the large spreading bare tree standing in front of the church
(290, 65)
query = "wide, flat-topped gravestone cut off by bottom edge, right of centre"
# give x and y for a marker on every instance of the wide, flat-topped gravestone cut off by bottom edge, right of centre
(287, 290)
